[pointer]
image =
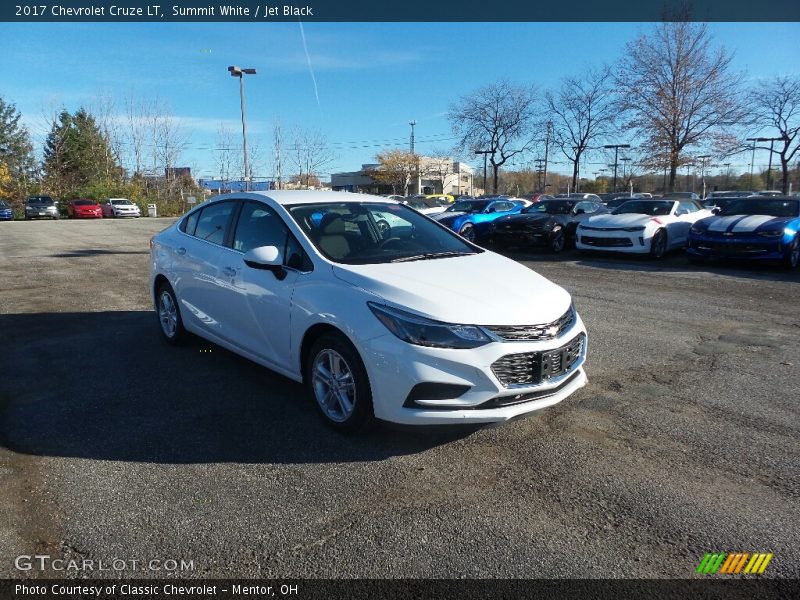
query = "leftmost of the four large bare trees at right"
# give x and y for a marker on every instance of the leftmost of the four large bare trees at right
(498, 118)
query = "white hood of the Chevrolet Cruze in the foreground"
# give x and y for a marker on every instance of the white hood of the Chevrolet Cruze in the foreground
(450, 289)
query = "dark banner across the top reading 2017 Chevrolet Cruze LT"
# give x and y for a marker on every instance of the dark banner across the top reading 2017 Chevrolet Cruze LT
(129, 11)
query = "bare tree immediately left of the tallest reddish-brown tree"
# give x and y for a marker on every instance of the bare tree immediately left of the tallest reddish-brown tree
(582, 111)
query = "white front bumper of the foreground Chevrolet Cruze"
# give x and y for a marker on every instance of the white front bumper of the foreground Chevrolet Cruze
(396, 368)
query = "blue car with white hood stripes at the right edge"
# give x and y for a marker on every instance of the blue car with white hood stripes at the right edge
(755, 228)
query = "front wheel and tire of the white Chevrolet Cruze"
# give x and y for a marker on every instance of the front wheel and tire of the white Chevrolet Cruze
(338, 383)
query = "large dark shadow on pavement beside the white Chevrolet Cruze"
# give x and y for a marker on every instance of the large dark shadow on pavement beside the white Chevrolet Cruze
(105, 386)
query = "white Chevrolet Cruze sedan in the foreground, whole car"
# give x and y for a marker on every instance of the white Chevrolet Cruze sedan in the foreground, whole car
(410, 324)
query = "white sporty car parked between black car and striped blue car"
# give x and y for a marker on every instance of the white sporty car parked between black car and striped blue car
(641, 226)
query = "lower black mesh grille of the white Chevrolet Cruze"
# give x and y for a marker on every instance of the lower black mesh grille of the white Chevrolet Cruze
(531, 368)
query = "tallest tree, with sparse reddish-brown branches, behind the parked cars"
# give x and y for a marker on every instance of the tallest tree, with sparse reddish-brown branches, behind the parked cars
(678, 92)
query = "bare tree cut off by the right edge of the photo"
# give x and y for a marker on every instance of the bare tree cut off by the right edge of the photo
(777, 107)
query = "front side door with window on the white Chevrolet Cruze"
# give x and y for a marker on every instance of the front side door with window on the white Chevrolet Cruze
(258, 306)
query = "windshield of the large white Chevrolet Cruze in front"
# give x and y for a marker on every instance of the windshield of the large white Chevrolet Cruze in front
(358, 233)
